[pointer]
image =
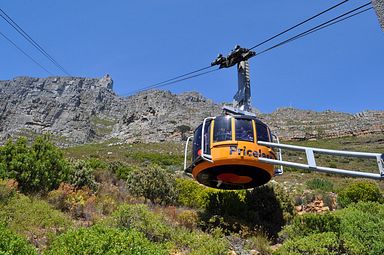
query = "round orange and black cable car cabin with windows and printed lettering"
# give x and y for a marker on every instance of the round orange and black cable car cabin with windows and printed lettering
(225, 152)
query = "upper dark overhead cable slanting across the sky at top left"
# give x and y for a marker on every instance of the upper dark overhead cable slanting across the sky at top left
(26, 36)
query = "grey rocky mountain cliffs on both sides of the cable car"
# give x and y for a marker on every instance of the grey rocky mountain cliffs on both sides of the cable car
(81, 110)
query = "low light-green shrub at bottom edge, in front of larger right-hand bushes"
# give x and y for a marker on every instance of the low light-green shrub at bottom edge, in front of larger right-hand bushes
(317, 244)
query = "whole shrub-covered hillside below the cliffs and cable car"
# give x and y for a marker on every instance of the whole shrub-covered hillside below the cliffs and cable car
(97, 199)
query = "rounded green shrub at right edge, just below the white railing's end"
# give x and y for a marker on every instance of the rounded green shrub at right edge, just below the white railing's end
(363, 191)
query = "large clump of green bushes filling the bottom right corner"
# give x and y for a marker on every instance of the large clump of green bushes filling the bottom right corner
(357, 230)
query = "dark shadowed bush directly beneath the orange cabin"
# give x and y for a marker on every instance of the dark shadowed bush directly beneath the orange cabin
(266, 208)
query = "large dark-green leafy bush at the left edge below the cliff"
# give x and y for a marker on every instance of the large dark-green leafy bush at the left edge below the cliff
(40, 167)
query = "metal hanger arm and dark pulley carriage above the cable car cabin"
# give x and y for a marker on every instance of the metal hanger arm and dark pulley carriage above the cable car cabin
(242, 98)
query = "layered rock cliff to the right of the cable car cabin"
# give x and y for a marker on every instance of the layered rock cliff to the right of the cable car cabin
(294, 124)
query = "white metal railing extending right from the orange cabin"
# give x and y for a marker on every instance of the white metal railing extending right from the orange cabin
(311, 162)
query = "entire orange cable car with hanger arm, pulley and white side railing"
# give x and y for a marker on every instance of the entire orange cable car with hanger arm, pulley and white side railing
(238, 151)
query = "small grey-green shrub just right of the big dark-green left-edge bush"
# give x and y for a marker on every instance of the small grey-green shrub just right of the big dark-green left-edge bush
(81, 174)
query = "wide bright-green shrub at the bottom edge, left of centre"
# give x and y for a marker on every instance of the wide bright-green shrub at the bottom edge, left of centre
(104, 240)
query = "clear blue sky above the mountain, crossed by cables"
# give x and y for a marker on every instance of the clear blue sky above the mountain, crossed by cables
(142, 42)
